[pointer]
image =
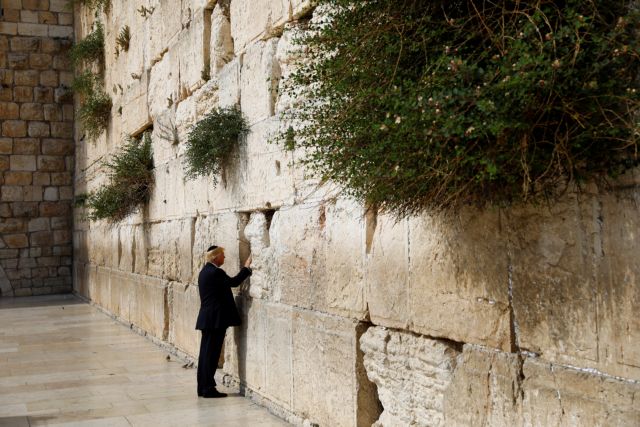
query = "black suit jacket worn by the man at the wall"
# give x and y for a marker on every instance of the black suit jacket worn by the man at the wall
(217, 306)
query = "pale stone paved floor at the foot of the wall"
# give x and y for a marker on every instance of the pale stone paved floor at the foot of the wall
(64, 363)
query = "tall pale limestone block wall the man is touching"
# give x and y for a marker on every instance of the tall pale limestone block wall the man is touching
(523, 316)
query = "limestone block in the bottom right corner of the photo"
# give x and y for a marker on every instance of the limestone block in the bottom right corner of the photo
(556, 395)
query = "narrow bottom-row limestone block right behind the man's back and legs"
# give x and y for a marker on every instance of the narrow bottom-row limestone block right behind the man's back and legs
(185, 304)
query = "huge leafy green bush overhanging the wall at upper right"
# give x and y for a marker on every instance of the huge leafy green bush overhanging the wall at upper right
(420, 104)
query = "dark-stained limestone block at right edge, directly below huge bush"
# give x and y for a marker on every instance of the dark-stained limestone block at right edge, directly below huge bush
(571, 302)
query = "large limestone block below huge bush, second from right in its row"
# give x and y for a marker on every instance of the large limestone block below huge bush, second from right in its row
(458, 278)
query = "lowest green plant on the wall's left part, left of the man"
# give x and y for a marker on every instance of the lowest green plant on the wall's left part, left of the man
(130, 182)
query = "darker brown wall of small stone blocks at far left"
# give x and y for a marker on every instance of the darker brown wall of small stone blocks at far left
(36, 147)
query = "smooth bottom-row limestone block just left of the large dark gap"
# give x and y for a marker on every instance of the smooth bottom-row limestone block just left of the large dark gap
(324, 368)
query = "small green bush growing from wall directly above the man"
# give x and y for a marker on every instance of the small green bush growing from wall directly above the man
(212, 140)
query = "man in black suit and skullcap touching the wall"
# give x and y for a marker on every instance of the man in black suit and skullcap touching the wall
(217, 312)
